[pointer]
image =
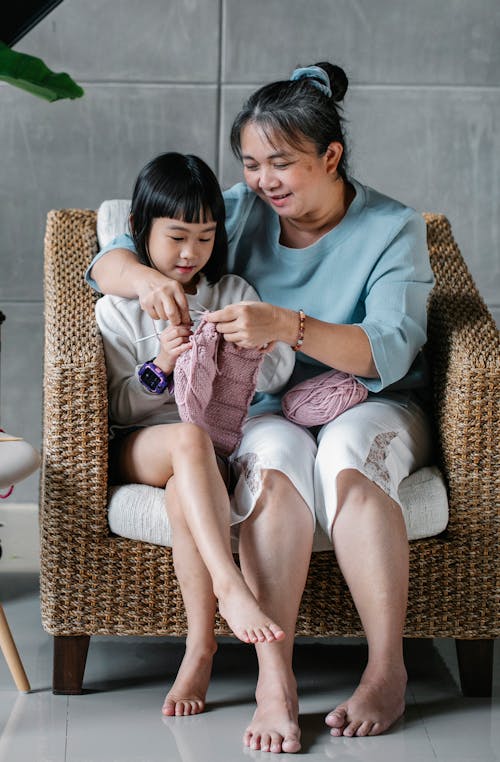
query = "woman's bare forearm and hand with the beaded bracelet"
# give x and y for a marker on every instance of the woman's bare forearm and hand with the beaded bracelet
(253, 324)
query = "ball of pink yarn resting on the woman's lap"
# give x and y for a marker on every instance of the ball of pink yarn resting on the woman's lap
(322, 398)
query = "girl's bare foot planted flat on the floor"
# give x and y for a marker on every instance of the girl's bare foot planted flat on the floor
(187, 695)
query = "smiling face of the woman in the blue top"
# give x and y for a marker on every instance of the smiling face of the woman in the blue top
(295, 182)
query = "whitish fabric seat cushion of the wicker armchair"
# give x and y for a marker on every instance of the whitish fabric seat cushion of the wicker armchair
(138, 512)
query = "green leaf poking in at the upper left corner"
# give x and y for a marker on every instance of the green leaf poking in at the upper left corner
(31, 74)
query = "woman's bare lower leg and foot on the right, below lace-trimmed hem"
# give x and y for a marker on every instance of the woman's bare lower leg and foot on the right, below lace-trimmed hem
(370, 526)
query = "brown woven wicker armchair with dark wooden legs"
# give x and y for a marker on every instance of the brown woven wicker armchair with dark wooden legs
(94, 583)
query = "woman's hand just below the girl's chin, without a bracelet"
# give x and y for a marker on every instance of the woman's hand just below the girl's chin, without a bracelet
(163, 298)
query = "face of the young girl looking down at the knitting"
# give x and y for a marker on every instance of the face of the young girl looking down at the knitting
(181, 249)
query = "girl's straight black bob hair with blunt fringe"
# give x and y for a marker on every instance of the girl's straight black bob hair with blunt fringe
(181, 187)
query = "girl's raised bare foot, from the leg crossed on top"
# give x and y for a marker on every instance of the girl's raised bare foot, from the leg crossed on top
(244, 616)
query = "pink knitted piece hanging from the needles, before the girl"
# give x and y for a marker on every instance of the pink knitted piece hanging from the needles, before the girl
(214, 384)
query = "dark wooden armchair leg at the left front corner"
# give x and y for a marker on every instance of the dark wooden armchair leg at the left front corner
(70, 656)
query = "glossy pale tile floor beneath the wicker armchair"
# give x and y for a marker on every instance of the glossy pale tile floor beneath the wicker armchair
(118, 718)
